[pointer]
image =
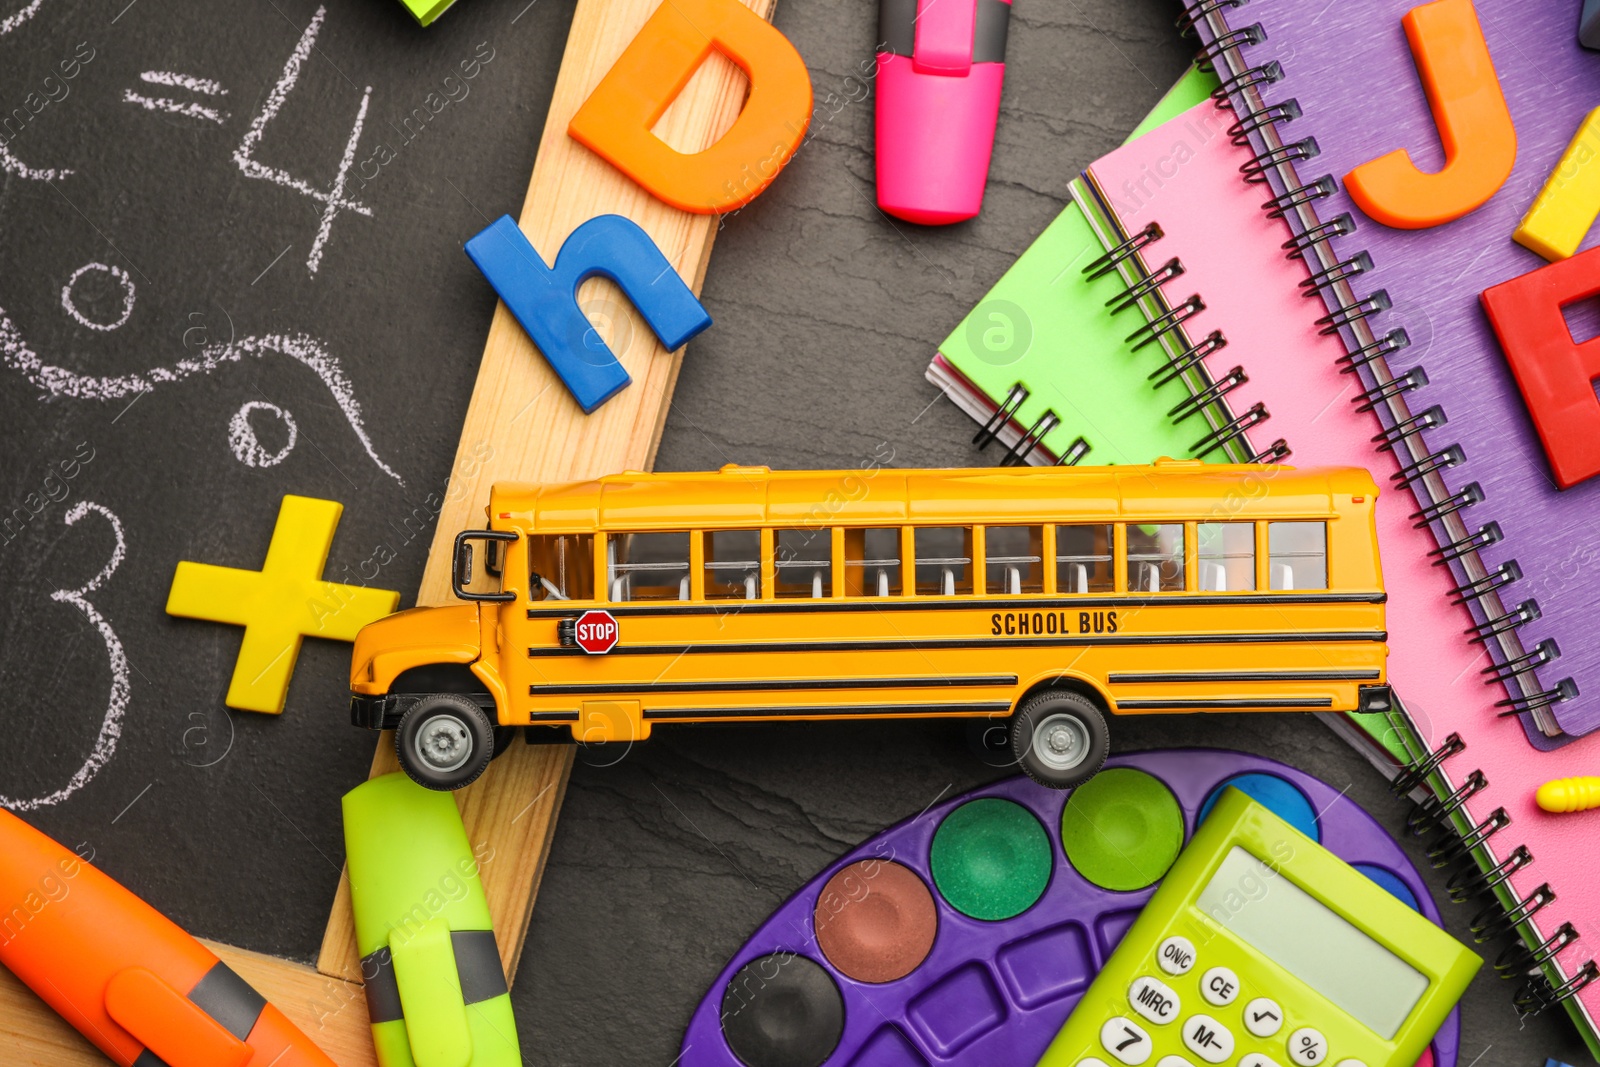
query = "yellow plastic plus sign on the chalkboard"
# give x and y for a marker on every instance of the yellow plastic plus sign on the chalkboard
(281, 604)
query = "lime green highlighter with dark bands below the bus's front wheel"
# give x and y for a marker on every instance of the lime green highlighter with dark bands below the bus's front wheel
(433, 972)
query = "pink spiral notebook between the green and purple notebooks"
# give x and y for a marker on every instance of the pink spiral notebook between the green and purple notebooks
(1223, 289)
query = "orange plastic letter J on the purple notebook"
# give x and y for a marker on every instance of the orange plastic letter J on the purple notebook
(1474, 126)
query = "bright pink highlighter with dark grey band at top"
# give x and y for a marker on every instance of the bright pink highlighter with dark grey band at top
(942, 65)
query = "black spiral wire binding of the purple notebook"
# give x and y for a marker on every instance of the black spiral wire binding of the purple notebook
(1263, 126)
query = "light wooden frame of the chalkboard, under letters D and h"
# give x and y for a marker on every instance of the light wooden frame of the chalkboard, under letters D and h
(521, 426)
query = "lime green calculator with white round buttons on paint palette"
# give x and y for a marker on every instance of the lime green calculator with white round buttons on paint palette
(1263, 949)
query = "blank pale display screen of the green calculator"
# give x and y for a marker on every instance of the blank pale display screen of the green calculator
(1302, 935)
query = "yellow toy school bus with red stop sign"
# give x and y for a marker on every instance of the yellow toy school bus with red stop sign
(1041, 597)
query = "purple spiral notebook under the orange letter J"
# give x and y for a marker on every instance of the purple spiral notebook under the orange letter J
(1350, 71)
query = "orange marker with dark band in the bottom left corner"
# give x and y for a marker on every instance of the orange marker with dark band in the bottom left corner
(122, 973)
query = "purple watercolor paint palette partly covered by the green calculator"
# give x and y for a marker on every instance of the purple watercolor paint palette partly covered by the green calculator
(966, 937)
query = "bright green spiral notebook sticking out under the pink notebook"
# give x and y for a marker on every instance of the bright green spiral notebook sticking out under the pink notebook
(1055, 378)
